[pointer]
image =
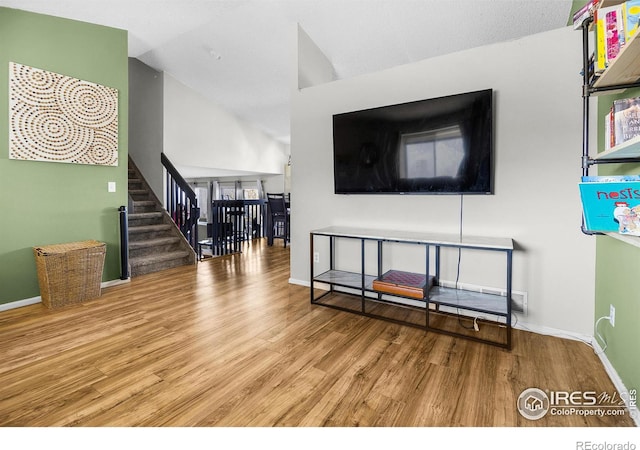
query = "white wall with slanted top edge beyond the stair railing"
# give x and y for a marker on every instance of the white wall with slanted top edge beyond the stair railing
(198, 133)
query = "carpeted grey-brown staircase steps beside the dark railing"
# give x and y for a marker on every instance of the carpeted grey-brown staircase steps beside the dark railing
(155, 242)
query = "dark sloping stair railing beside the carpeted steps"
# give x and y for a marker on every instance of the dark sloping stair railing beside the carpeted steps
(181, 203)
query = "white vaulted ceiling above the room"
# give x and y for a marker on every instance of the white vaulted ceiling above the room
(238, 53)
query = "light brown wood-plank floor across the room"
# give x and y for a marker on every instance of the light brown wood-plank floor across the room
(231, 343)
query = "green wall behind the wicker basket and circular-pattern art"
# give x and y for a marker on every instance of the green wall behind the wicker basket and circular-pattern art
(45, 203)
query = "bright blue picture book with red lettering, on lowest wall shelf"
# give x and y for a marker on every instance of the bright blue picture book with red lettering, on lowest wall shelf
(611, 203)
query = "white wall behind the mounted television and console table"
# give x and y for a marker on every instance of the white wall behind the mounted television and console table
(538, 114)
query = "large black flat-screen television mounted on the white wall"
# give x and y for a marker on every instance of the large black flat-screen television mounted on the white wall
(436, 146)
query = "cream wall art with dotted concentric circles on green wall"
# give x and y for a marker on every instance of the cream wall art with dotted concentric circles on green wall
(61, 119)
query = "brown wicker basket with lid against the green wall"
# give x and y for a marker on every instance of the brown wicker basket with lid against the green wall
(69, 273)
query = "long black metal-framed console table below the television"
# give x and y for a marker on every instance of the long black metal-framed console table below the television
(354, 291)
